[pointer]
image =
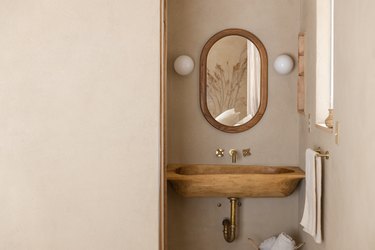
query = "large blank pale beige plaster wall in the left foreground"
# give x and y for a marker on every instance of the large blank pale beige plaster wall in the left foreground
(79, 109)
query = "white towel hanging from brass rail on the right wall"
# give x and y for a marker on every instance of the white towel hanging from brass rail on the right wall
(311, 219)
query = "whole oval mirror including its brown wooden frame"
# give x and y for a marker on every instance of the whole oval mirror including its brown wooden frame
(233, 80)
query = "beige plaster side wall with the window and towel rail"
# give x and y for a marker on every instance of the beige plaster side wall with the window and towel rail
(349, 187)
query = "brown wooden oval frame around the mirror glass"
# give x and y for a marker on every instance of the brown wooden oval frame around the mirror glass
(263, 80)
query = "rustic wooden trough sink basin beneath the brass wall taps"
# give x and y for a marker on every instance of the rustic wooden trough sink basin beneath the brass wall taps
(200, 180)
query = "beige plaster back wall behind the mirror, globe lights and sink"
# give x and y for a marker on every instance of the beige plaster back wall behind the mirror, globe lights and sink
(196, 223)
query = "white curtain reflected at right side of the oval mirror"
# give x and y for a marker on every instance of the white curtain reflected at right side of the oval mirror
(253, 79)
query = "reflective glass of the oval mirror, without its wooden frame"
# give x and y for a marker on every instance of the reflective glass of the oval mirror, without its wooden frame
(233, 80)
